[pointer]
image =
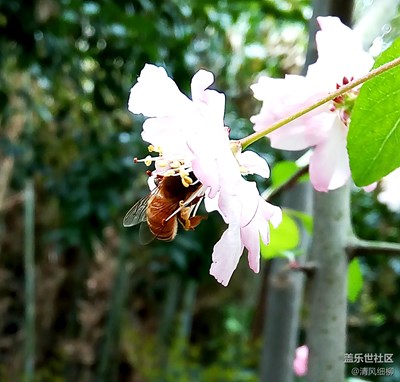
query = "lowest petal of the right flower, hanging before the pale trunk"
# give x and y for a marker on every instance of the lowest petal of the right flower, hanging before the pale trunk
(329, 163)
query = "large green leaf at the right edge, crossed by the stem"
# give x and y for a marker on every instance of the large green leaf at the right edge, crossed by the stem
(374, 132)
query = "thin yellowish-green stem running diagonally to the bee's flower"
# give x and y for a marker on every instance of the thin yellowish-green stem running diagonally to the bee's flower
(373, 73)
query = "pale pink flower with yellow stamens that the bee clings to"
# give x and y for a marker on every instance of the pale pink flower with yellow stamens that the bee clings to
(190, 136)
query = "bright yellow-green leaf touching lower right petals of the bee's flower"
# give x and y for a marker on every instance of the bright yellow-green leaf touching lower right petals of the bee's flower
(282, 239)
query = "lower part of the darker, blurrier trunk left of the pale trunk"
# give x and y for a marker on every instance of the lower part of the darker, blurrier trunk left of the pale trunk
(284, 295)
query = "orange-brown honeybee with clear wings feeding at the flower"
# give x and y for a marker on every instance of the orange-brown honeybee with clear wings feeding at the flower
(169, 203)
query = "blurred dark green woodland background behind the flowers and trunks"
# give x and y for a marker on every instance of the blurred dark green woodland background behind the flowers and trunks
(80, 299)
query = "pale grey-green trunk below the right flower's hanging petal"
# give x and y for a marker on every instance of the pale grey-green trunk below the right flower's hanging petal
(326, 335)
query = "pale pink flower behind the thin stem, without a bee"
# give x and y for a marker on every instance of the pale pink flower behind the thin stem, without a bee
(340, 59)
